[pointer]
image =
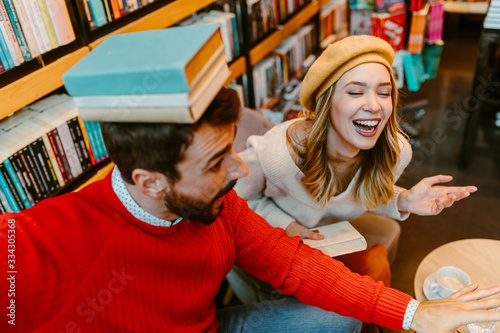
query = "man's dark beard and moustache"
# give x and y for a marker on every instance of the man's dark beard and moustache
(196, 210)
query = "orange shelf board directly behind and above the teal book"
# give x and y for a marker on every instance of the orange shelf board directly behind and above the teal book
(161, 18)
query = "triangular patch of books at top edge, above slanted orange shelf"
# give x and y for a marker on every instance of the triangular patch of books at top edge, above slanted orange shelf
(264, 16)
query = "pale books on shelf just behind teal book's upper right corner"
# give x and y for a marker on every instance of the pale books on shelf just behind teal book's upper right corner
(226, 21)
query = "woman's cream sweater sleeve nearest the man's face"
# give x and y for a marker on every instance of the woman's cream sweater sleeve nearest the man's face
(252, 187)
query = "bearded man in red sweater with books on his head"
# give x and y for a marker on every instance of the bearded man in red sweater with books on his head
(146, 249)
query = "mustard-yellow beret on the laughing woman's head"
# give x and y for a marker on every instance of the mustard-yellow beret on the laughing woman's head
(337, 59)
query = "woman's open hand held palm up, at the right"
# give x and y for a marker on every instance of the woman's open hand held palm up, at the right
(427, 198)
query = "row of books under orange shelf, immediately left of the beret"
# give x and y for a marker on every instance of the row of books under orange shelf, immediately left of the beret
(287, 61)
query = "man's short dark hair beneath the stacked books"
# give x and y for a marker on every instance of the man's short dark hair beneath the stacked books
(161, 146)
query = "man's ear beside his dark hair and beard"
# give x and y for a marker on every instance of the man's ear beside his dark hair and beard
(150, 183)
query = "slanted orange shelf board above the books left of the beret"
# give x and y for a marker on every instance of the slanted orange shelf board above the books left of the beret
(270, 43)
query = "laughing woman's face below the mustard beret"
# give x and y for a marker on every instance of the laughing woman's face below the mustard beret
(361, 107)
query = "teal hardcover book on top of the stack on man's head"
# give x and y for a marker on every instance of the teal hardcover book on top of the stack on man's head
(162, 61)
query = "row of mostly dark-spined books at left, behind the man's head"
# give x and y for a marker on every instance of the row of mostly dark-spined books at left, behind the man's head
(44, 147)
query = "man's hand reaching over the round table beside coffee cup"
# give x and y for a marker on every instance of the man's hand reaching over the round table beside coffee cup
(467, 305)
